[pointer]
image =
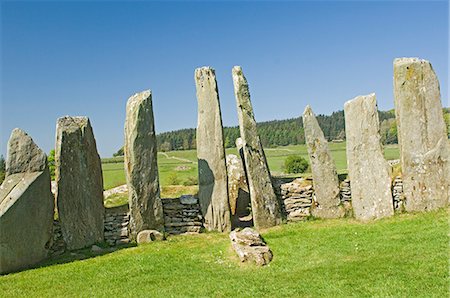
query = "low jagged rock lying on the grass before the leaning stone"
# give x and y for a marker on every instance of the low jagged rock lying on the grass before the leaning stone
(249, 246)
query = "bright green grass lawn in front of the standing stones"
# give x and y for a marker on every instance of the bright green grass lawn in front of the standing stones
(402, 256)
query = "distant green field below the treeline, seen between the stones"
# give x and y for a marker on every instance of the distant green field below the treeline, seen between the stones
(180, 167)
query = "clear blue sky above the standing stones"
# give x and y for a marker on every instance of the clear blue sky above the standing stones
(88, 57)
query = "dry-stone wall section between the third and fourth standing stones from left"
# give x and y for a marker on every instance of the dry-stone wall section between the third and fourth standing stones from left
(182, 215)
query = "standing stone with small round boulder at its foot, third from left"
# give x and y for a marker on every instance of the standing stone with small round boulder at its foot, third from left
(141, 168)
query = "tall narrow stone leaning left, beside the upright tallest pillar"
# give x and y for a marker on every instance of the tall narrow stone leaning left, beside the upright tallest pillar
(265, 206)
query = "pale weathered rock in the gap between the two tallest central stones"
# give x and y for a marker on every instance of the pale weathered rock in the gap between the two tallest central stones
(237, 183)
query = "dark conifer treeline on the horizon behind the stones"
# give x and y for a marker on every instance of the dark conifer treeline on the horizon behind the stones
(277, 132)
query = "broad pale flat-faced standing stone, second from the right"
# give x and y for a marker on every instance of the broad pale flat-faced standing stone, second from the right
(368, 170)
